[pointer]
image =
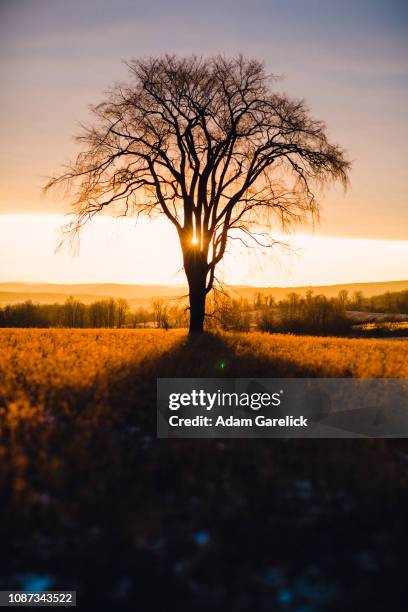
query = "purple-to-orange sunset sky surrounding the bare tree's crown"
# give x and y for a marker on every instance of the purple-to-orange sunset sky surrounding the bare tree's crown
(348, 60)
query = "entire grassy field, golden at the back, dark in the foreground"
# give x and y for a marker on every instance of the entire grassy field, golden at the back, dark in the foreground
(92, 501)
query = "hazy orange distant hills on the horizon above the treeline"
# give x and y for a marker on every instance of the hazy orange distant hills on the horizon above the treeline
(140, 295)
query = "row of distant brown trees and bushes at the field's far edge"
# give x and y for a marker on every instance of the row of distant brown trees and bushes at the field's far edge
(309, 314)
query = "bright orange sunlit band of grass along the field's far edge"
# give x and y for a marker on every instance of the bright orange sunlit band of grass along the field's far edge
(42, 365)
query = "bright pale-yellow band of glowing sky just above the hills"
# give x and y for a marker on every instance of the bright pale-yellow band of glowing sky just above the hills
(126, 251)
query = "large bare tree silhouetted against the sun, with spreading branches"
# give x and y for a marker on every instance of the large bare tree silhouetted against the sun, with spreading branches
(208, 143)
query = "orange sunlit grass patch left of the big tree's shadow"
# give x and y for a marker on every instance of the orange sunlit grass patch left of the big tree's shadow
(40, 364)
